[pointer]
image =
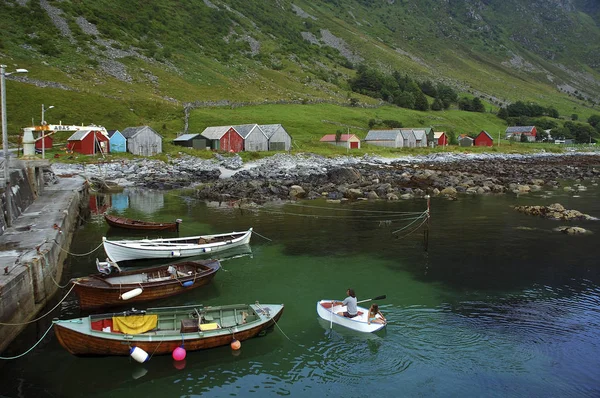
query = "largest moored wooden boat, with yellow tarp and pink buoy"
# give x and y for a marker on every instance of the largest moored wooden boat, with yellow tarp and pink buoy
(161, 330)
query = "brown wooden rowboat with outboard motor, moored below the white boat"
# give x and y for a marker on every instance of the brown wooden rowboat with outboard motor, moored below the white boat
(108, 289)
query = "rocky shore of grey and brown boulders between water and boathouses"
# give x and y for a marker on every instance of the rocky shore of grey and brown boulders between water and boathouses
(309, 176)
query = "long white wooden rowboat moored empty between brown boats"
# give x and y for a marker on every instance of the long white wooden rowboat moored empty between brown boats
(123, 250)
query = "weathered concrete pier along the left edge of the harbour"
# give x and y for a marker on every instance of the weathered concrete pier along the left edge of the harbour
(33, 249)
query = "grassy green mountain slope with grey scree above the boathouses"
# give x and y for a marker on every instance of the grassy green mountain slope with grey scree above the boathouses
(143, 61)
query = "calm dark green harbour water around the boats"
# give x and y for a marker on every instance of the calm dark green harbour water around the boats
(499, 305)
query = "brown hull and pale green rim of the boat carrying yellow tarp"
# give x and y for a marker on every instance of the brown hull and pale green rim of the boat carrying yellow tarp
(77, 336)
